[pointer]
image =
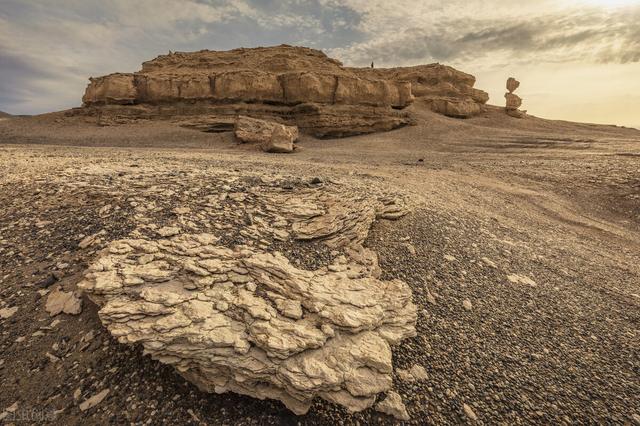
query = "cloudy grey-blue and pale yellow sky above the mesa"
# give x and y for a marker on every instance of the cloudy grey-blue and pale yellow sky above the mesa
(576, 59)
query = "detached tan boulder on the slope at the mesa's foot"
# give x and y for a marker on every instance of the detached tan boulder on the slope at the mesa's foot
(272, 137)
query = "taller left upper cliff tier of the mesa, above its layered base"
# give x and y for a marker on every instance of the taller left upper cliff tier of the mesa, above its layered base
(278, 75)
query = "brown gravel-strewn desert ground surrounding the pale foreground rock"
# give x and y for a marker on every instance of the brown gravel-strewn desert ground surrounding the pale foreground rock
(520, 244)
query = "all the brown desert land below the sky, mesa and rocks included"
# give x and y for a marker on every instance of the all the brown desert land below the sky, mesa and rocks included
(265, 236)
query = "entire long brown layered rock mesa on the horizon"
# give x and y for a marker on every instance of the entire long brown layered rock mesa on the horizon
(292, 85)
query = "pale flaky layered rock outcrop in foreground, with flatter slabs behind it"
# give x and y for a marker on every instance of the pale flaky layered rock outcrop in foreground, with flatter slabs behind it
(242, 319)
